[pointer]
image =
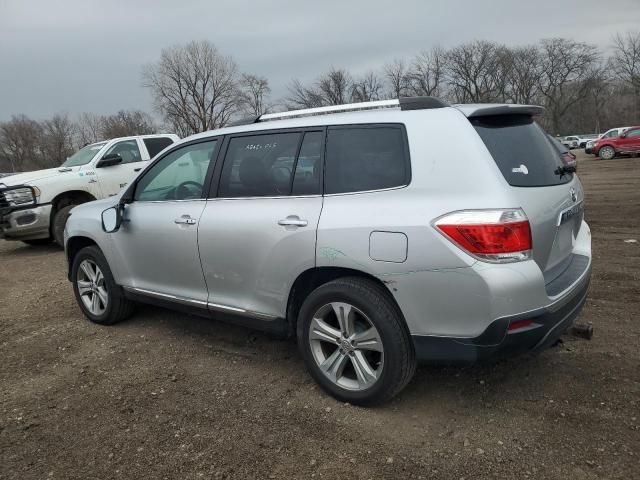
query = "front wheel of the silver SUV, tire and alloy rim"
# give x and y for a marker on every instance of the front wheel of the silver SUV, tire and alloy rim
(99, 297)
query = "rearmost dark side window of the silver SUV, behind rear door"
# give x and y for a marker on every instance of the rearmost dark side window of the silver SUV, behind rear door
(366, 158)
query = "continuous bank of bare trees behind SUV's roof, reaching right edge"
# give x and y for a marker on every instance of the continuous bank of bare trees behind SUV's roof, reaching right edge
(583, 90)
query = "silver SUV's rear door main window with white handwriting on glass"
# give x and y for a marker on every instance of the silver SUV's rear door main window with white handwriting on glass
(259, 165)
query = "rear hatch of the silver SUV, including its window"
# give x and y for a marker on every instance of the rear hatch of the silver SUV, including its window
(551, 199)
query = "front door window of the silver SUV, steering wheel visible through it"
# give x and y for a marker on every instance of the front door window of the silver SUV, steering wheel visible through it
(180, 175)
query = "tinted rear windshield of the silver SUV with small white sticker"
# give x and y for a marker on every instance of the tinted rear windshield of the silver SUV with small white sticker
(523, 152)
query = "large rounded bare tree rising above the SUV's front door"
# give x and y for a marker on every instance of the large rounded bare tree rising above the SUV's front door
(194, 87)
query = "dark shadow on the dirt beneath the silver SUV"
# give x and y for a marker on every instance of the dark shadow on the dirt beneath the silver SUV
(523, 377)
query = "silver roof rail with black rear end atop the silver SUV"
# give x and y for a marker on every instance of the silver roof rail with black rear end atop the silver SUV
(405, 103)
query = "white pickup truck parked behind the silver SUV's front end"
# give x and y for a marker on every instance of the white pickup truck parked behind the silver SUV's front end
(34, 206)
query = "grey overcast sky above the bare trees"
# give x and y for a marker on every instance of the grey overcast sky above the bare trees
(86, 55)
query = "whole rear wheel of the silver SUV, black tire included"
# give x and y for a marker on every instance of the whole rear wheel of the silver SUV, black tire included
(354, 341)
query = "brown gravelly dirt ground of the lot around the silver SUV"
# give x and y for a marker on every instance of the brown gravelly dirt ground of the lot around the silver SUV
(165, 395)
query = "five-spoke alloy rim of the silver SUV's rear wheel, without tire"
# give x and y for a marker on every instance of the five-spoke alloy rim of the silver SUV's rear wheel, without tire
(346, 346)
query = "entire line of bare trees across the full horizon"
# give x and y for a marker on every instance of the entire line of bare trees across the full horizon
(196, 88)
